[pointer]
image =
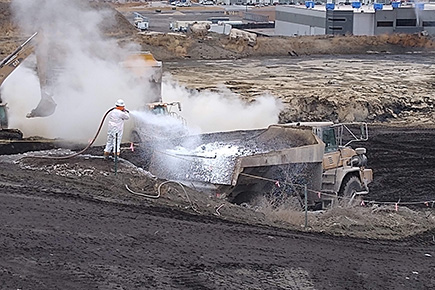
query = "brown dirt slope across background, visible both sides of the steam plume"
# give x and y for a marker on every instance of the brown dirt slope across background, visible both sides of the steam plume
(215, 46)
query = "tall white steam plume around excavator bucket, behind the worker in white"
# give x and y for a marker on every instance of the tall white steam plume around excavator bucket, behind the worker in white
(90, 80)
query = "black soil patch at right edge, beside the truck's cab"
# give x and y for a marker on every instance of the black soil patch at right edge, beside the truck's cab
(403, 162)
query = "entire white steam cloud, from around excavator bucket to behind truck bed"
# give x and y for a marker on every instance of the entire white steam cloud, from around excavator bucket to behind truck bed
(89, 79)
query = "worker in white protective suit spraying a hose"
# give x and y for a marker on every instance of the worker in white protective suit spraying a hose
(115, 128)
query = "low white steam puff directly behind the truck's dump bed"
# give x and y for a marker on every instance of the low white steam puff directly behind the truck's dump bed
(222, 110)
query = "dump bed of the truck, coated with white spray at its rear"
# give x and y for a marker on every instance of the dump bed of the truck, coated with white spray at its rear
(220, 158)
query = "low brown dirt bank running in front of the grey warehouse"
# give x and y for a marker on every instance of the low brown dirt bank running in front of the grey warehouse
(215, 46)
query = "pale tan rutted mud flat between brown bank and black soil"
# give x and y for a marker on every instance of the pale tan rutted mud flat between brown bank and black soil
(386, 88)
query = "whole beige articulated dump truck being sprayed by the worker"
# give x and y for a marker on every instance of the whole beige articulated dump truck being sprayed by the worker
(279, 161)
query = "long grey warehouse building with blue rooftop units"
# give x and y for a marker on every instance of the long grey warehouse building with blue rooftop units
(354, 19)
